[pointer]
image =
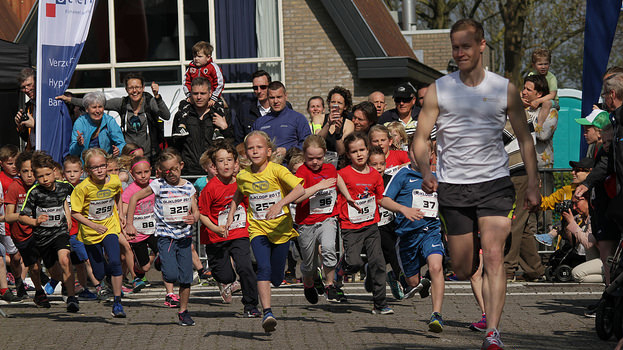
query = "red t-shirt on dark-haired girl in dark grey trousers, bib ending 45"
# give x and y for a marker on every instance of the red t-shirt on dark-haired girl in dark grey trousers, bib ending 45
(360, 187)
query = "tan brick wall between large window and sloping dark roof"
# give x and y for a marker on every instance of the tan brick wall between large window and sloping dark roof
(317, 57)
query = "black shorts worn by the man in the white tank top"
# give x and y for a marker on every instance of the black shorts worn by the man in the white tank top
(460, 206)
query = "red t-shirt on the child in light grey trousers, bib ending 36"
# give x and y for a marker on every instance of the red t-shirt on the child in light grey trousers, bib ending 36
(324, 202)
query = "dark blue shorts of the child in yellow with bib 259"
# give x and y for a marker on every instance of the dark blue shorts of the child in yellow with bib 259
(109, 264)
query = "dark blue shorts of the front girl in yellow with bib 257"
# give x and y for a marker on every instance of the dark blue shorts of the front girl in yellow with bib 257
(271, 259)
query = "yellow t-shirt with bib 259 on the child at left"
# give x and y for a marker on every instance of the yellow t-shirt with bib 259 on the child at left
(97, 203)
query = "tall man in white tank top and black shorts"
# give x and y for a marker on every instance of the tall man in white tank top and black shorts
(469, 108)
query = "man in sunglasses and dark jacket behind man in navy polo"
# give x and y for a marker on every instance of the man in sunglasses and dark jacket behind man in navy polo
(249, 111)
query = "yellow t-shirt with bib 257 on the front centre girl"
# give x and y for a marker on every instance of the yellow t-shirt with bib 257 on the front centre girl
(263, 190)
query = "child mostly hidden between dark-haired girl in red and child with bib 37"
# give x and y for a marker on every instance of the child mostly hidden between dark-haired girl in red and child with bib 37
(376, 160)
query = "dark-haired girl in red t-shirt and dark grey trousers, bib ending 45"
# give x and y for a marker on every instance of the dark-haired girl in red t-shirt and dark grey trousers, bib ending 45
(361, 189)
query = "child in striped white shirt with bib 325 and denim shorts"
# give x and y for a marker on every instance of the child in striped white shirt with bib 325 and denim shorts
(176, 211)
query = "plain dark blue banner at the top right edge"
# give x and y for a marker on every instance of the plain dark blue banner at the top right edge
(601, 23)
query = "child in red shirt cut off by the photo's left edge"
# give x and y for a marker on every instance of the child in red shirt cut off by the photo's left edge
(8, 155)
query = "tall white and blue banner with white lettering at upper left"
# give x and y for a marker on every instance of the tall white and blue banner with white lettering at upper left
(62, 30)
